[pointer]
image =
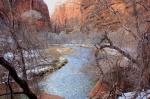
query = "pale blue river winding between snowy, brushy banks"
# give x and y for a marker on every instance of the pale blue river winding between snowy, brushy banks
(69, 81)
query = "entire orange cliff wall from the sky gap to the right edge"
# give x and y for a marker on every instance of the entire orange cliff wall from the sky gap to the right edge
(95, 15)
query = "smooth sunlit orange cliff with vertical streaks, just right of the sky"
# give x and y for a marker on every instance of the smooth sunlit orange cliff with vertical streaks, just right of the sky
(66, 16)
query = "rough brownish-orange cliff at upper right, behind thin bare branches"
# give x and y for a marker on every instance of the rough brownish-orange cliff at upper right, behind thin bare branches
(109, 14)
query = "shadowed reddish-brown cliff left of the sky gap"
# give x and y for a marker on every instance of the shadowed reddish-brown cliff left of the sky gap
(32, 12)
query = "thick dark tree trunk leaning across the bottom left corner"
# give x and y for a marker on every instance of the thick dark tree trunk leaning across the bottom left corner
(22, 83)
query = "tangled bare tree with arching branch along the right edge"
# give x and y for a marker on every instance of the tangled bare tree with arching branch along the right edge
(136, 68)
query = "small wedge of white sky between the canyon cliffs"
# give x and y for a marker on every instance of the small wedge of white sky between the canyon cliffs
(52, 4)
